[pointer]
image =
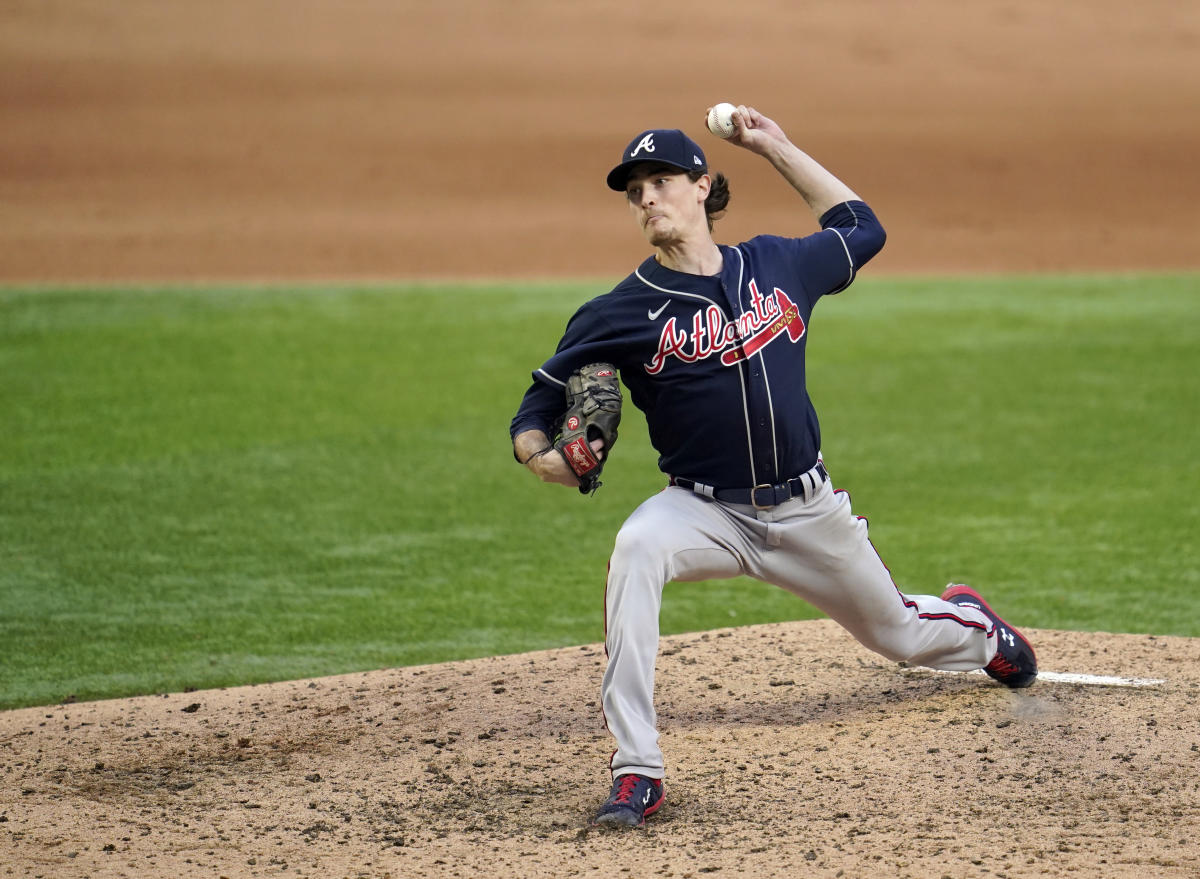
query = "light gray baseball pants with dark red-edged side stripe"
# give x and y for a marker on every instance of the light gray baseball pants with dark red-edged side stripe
(812, 546)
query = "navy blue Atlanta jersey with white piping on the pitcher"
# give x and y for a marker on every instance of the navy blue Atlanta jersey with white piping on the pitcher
(717, 363)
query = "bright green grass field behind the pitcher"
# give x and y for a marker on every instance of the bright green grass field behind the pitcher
(203, 488)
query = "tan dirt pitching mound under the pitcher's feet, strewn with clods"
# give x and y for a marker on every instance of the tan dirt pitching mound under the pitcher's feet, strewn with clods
(791, 751)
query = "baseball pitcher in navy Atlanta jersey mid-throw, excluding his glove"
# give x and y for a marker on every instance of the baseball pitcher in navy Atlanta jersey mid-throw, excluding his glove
(710, 343)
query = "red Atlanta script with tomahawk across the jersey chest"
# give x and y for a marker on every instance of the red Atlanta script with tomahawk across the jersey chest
(769, 319)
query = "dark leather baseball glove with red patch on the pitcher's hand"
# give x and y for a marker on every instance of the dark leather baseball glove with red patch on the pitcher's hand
(593, 412)
